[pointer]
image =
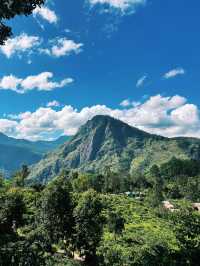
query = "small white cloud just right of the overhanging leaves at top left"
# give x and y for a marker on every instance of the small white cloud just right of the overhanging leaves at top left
(46, 13)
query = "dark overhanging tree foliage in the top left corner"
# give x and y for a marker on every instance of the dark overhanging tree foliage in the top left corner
(10, 9)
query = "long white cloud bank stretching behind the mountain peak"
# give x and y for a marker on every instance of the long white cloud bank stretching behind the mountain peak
(167, 116)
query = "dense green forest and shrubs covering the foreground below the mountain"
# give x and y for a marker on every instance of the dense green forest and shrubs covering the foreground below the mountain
(109, 219)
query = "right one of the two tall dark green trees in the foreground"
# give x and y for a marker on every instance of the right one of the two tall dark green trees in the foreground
(89, 224)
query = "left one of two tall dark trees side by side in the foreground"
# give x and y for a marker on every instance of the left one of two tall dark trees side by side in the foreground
(56, 213)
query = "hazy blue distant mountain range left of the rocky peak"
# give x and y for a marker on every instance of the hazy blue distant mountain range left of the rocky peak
(15, 152)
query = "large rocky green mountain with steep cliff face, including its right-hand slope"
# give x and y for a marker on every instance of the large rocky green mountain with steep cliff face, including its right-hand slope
(105, 141)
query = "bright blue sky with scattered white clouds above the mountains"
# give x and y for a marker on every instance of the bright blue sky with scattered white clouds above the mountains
(135, 60)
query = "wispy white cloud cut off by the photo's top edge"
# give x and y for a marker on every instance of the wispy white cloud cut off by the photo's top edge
(121, 5)
